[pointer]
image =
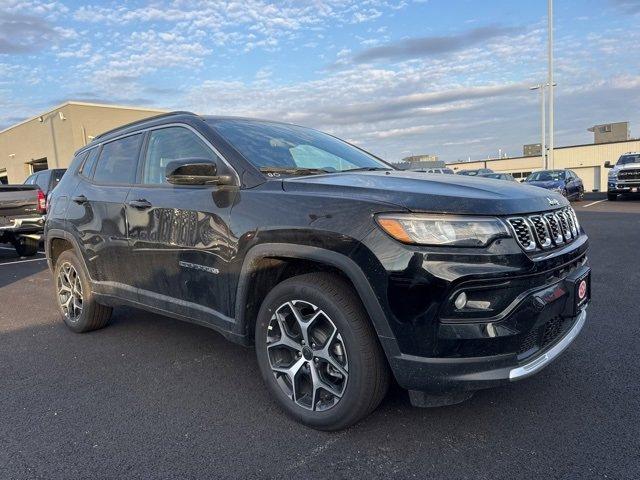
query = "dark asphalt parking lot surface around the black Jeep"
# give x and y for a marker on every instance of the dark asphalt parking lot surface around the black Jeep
(151, 397)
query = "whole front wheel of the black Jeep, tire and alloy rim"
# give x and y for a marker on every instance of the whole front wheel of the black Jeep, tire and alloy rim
(318, 352)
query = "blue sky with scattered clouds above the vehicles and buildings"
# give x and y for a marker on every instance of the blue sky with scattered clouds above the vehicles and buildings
(397, 77)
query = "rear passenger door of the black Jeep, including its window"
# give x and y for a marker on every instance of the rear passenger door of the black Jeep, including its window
(96, 211)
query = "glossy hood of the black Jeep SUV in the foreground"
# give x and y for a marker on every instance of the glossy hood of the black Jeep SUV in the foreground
(433, 193)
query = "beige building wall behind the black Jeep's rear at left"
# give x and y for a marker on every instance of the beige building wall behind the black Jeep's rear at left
(56, 134)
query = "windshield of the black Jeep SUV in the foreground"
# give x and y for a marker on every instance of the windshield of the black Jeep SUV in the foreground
(294, 150)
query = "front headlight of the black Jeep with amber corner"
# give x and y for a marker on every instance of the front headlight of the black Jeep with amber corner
(442, 230)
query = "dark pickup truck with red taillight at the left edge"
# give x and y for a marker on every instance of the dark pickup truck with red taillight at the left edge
(22, 209)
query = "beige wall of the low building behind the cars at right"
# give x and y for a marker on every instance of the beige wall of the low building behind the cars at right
(587, 161)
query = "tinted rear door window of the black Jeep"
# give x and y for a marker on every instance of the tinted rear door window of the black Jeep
(118, 161)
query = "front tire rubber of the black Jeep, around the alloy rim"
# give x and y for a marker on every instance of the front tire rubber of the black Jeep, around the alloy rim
(368, 372)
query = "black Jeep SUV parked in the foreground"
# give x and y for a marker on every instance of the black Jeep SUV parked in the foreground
(339, 268)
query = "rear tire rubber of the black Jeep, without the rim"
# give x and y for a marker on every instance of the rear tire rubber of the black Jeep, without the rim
(93, 314)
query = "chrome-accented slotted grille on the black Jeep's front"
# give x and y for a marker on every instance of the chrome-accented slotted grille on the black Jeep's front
(545, 230)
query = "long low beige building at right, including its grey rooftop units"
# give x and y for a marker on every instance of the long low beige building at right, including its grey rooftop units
(587, 161)
